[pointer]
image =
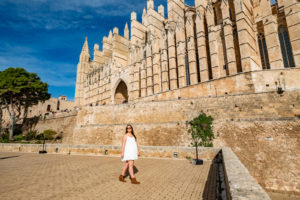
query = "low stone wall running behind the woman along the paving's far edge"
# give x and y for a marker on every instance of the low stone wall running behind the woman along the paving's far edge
(145, 151)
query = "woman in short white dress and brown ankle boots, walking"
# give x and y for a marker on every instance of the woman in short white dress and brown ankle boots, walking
(130, 152)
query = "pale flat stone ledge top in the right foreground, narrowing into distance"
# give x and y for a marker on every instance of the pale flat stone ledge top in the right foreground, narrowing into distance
(241, 184)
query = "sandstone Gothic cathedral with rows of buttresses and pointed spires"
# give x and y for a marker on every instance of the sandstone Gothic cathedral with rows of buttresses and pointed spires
(217, 47)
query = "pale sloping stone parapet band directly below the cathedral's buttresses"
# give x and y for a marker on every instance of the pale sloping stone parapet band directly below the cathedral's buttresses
(243, 83)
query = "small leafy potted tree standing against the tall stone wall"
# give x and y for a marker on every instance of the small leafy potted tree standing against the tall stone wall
(201, 132)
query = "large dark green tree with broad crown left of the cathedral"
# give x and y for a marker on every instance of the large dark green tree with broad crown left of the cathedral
(20, 90)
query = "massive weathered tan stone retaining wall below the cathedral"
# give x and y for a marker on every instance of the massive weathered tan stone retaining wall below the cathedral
(262, 129)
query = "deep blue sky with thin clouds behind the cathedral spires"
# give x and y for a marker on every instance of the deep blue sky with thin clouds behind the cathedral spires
(46, 36)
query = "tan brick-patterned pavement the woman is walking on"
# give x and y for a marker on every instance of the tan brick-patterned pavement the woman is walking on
(34, 176)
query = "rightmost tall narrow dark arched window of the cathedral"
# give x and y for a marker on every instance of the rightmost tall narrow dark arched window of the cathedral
(285, 47)
